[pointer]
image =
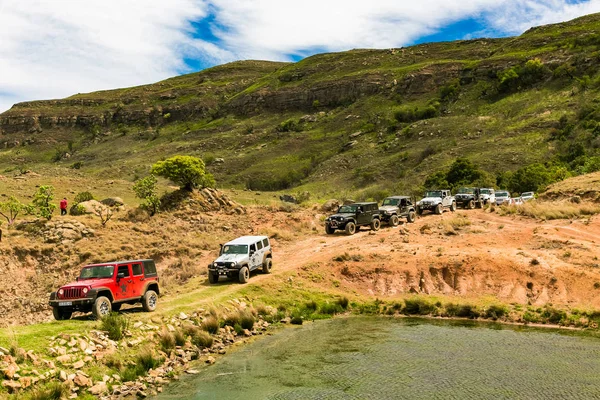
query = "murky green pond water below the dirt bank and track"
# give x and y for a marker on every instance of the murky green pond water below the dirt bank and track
(381, 358)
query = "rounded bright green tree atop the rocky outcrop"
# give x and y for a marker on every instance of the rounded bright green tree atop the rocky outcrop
(186, 171)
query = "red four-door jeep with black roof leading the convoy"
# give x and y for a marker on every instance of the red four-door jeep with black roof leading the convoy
(101, 288)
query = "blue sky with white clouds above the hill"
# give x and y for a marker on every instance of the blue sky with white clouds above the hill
(53, 49)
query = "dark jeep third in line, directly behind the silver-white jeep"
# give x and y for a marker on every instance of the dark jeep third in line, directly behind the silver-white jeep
(351, 217)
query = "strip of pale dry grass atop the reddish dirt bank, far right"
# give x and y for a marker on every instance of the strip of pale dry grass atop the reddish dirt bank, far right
(547, 210)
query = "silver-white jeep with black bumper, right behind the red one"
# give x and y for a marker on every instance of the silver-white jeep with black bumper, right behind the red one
(240, 257)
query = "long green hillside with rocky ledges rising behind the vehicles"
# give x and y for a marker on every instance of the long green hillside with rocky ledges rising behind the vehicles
(362, 120)
